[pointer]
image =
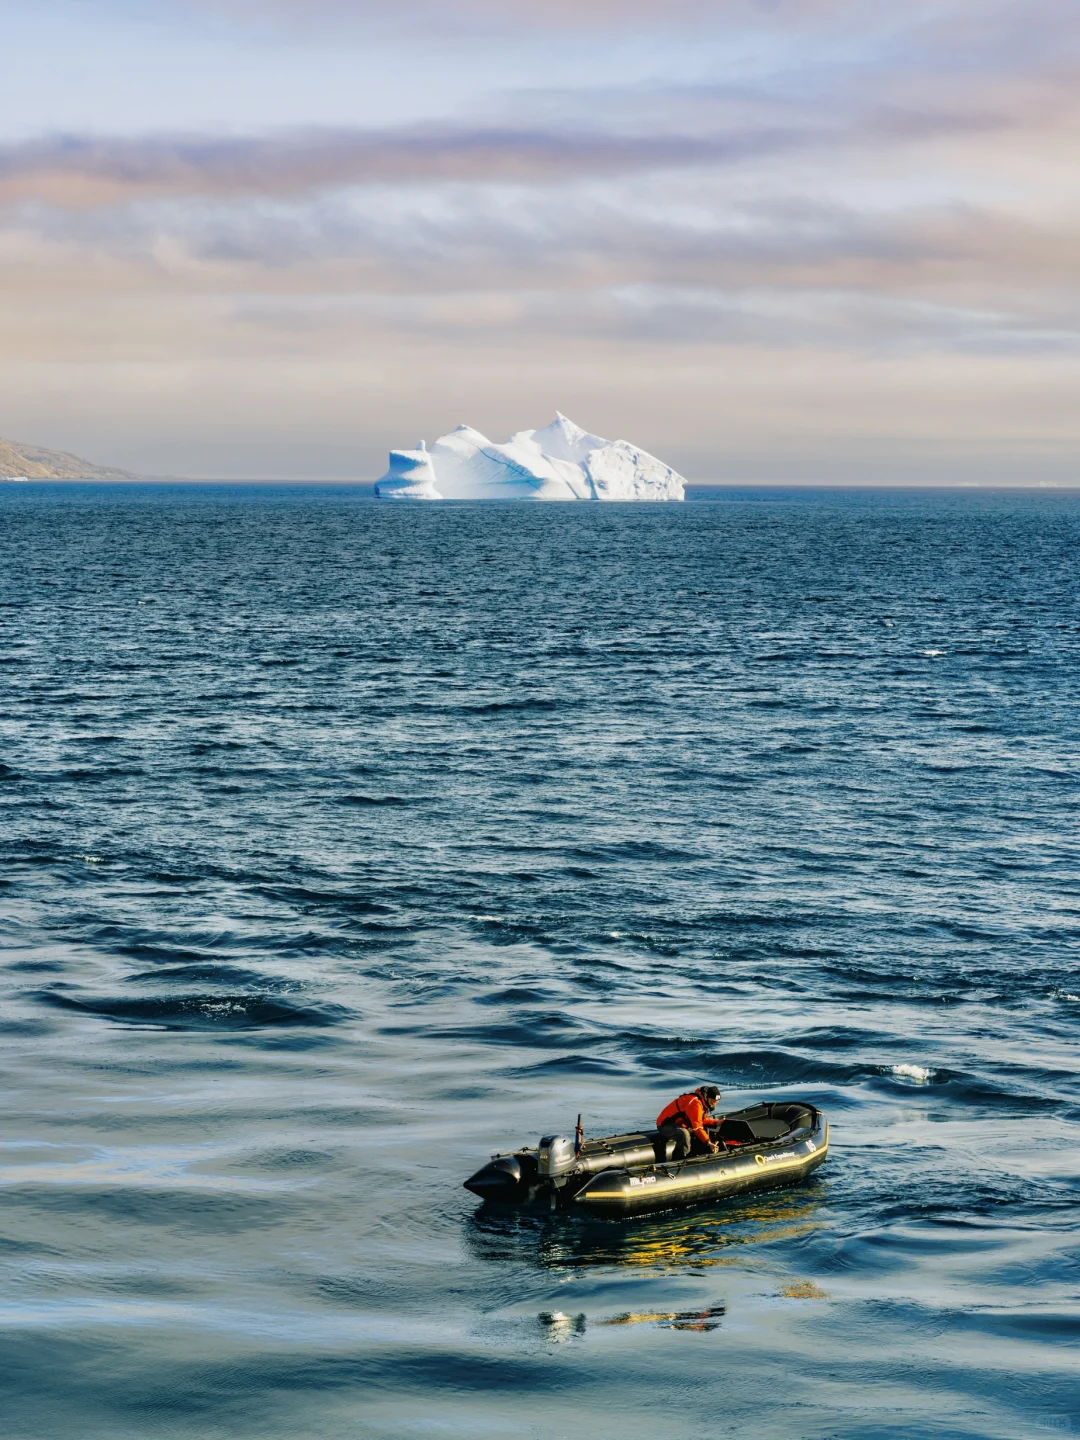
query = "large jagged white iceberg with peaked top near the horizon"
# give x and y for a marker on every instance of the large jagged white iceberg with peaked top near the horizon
(562, 462)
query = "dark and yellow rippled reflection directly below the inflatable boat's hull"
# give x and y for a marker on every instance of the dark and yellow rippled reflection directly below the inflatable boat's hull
(678, 1241)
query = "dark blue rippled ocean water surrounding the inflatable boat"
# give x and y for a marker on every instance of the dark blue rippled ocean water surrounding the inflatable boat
(346, 843)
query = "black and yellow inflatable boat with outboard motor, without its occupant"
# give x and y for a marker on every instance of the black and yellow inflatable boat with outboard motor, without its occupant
(764, 1146)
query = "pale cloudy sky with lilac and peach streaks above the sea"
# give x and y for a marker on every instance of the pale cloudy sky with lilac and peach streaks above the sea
(770, 241)
